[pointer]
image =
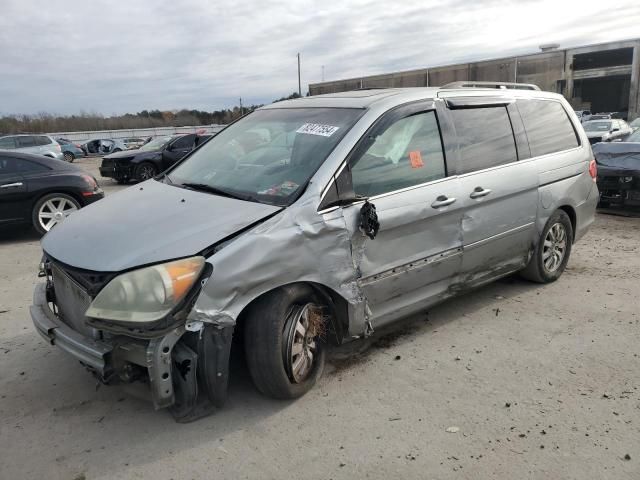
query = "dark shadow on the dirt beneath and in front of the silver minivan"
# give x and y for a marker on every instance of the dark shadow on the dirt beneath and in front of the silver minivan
(43, 385)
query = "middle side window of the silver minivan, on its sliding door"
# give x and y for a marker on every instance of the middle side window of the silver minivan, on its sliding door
(485, 138)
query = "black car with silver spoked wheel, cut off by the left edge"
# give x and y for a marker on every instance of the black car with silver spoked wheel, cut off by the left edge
(42, 191)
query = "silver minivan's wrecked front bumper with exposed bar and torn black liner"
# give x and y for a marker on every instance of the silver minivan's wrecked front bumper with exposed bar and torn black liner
(187, 370)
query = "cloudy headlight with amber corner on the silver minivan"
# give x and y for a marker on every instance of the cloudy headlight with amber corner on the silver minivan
(148, 294)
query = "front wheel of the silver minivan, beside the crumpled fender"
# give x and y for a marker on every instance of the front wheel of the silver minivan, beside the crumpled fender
(270, 334)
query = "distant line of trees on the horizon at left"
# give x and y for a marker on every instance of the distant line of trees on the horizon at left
(84, 121)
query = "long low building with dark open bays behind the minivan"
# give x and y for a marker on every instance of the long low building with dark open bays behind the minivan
(601, 78)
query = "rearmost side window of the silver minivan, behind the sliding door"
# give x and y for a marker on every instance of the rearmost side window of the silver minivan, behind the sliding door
(548, 127)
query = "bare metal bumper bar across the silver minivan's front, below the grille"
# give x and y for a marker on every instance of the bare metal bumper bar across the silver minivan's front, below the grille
(90, 352)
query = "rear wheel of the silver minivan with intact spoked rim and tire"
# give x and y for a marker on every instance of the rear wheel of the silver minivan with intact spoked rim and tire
(552, 252)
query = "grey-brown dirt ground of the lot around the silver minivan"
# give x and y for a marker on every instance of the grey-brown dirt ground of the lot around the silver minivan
(512, 381)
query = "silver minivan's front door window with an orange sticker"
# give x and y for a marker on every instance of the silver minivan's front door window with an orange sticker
(407, 153)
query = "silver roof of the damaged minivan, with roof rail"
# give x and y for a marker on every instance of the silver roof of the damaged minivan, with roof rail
(367, 98)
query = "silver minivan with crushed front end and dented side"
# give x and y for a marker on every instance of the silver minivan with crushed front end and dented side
(313, 222)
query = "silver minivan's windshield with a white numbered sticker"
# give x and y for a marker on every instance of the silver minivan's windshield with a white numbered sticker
(268, 156)
